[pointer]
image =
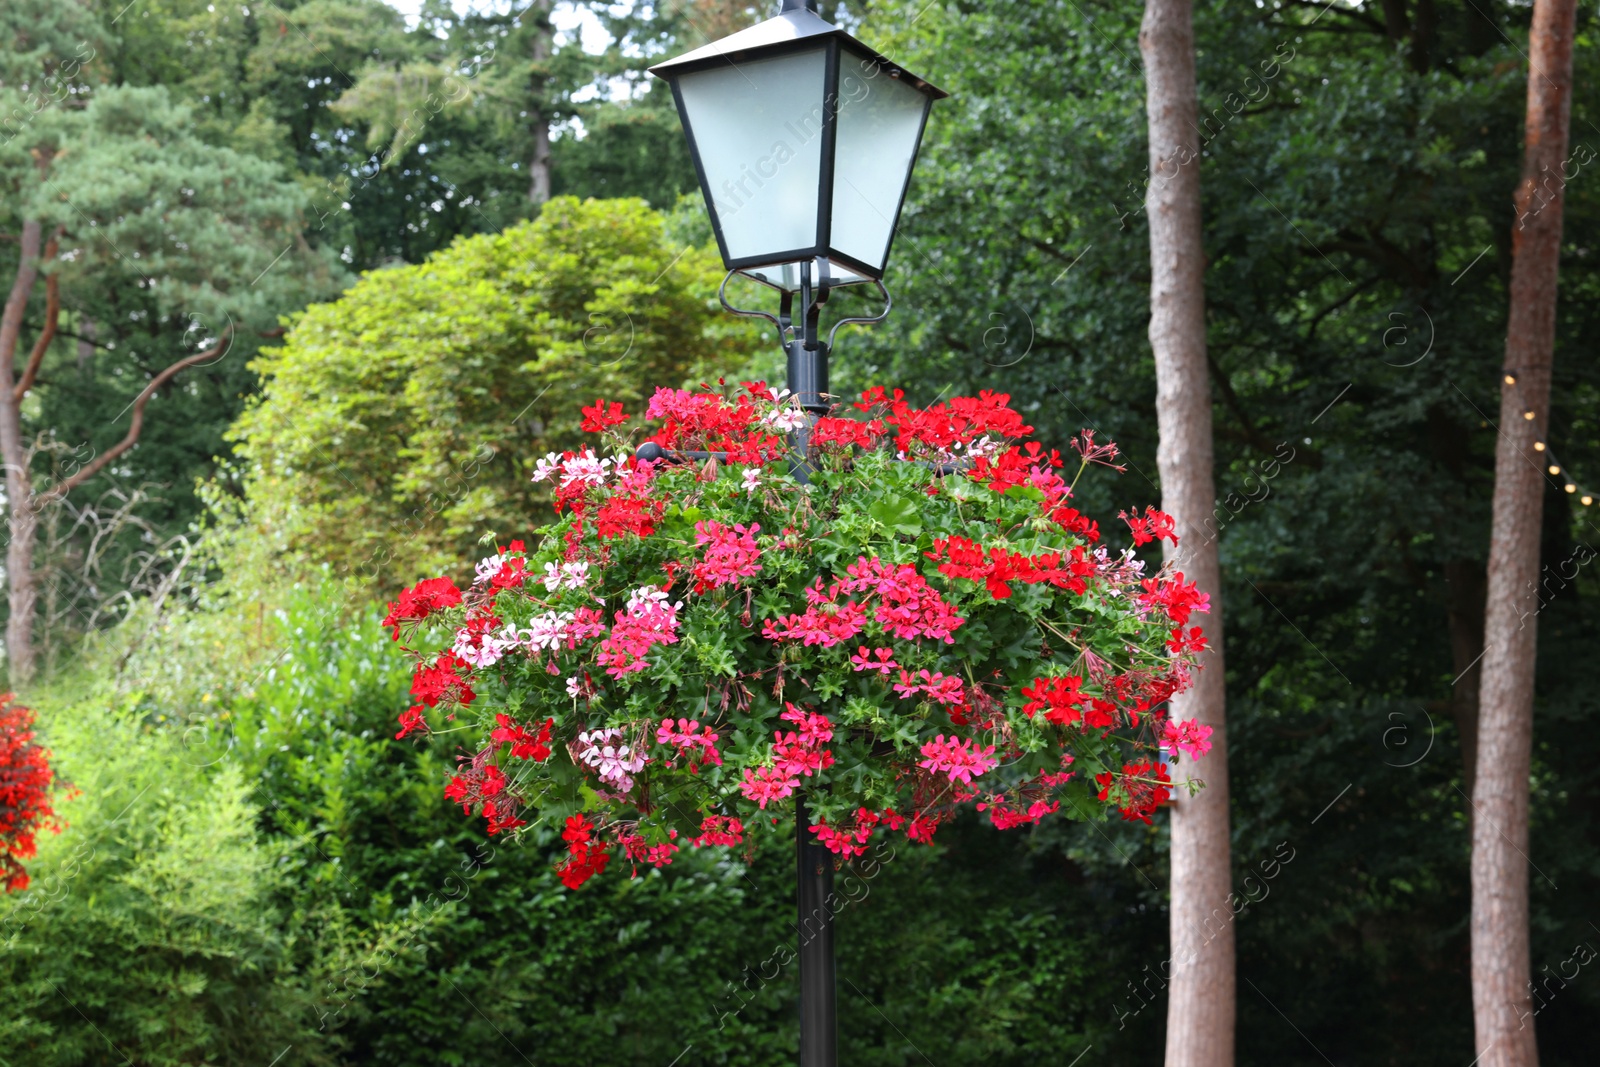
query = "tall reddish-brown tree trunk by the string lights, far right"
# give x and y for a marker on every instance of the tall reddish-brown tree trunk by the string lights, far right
(1502, 1002)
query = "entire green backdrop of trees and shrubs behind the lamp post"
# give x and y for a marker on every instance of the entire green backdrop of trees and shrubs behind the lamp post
(1359, 161)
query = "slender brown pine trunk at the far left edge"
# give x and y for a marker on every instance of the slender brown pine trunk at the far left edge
(18, 486)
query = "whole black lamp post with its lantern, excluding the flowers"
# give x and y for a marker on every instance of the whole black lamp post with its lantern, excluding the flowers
(804, 142)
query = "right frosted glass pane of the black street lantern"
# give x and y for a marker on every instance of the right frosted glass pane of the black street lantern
(879, 121)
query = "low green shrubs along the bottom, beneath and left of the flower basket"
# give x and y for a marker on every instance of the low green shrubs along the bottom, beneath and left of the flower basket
(366, 921)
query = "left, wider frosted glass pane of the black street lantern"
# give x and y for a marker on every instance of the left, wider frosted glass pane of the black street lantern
(759, 134)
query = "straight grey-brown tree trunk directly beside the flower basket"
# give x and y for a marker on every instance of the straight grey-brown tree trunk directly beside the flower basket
(1201, 994)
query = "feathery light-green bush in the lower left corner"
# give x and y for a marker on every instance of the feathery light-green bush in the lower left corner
(151, 930)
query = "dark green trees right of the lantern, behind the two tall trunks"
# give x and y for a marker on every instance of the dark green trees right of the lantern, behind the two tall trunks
(1354, 190)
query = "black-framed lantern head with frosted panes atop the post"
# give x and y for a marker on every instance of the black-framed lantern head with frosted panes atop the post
(804, 142)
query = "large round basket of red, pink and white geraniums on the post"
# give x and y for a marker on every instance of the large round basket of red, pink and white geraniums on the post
(926, 623)
